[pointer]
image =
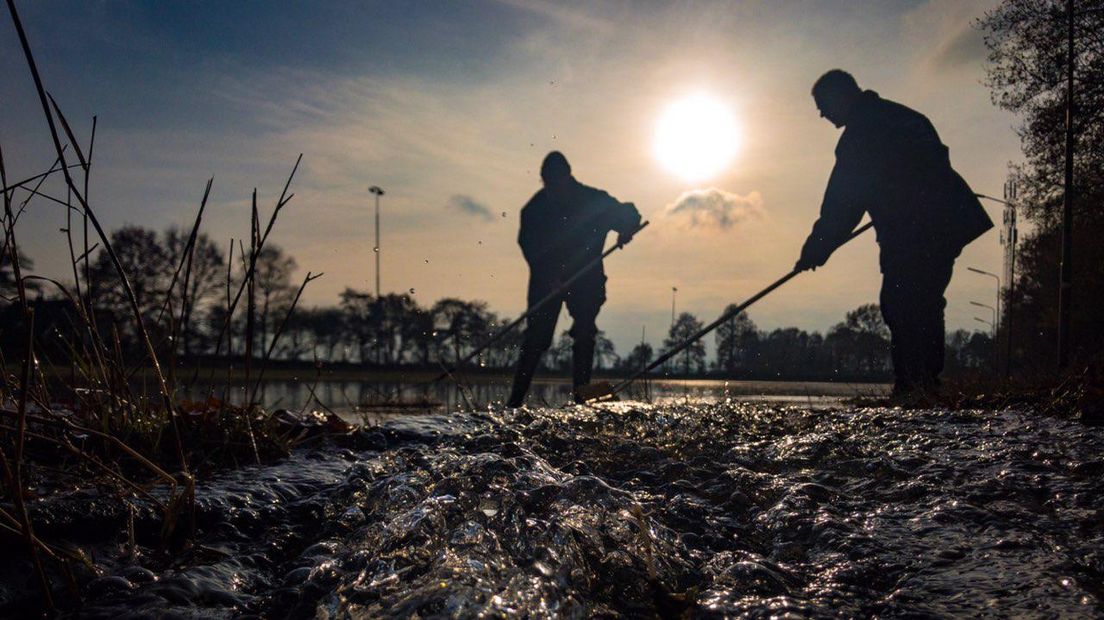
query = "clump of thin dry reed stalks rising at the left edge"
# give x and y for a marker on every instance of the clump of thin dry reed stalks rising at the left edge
(108, 360)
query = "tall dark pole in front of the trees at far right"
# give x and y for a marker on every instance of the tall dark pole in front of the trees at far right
(1066, 290)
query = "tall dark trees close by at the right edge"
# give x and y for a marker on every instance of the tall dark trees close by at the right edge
(1027, 76)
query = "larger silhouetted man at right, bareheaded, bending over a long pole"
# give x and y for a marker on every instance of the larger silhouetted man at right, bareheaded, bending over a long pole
(891, 164)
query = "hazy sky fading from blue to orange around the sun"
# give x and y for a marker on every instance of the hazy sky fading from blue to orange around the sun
(451, 108)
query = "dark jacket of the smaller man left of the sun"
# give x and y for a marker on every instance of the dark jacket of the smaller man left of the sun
(560, 234)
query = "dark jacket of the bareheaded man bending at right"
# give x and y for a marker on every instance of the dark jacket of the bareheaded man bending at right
(891, 164)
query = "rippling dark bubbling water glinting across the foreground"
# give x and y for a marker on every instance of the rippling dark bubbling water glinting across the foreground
(699, 510)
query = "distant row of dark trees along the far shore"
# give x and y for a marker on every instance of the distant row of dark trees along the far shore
(200, 320)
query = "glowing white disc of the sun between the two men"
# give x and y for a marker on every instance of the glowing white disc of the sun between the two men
(697, 138)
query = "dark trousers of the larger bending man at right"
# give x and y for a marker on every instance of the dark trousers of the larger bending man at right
(912, 305)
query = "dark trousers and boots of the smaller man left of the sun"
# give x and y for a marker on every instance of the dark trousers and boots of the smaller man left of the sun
(583, 305)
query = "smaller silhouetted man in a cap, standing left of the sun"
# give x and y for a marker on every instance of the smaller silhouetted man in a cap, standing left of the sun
(564, 228)
